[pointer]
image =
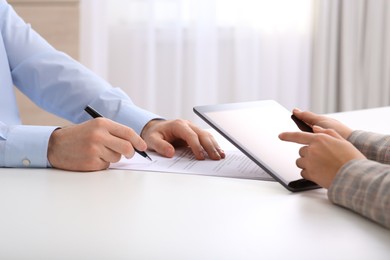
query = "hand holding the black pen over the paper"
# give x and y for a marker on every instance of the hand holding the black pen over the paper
(92, 145)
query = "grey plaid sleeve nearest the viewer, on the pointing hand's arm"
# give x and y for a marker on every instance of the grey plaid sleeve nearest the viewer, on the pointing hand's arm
(363, 186)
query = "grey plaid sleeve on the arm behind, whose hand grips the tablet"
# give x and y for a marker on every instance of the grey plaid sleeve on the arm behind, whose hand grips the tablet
(374, 146)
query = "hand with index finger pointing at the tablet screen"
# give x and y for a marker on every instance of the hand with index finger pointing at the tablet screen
(324, 153)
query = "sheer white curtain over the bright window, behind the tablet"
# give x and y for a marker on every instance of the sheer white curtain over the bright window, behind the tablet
(170, 55)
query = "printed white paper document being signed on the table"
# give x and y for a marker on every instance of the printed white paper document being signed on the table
(235, 165)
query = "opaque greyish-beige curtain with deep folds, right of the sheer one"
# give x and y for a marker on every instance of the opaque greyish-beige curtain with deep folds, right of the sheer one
(351, 55)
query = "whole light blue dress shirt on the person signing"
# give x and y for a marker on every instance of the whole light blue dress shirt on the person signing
(55, 82)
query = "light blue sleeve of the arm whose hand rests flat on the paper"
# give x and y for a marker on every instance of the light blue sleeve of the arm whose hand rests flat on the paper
(58, 83)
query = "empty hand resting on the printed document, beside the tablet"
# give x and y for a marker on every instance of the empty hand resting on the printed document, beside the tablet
(163, 135)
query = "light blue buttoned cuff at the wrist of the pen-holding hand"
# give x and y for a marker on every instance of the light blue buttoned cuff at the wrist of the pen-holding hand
(26, 146)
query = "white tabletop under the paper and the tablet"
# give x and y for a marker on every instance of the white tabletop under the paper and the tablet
(116, 214)
